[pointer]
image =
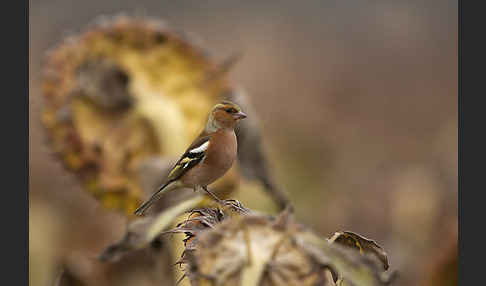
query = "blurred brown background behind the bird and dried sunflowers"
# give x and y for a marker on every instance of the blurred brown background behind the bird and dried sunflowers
(358, 106)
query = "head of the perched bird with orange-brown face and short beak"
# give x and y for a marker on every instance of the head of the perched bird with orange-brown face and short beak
(225, 115)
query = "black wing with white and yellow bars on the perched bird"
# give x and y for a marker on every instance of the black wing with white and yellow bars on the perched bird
(193, 155)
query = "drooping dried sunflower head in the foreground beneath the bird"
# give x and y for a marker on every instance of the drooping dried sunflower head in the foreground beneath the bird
(255, 249)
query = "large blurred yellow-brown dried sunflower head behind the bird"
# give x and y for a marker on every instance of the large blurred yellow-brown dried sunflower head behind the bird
(124, 91)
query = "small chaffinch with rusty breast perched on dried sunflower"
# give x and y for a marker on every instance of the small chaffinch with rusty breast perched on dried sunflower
(207, 158)
